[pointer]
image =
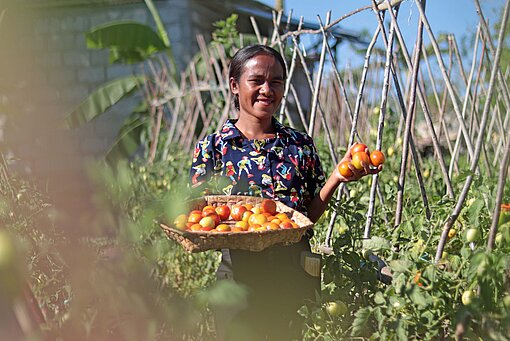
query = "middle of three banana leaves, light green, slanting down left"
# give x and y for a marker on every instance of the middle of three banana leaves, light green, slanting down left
(101, 99)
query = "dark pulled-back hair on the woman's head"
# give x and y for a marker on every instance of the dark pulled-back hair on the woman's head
(246, 53)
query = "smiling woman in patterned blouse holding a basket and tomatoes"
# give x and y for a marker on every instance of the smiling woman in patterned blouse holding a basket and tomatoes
(256, 155)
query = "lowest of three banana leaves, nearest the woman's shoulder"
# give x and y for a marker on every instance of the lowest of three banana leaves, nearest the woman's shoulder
(128, 138)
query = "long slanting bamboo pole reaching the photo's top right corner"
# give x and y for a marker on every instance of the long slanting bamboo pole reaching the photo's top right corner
(467, 185)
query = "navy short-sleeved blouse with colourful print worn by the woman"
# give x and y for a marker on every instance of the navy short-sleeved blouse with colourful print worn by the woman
(285, 168)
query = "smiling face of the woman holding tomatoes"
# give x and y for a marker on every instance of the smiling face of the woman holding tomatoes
(260, 86)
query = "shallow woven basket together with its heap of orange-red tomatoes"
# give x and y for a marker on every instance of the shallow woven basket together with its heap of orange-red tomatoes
(236, 222)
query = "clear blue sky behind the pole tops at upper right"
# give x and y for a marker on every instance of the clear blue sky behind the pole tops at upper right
(445, 16)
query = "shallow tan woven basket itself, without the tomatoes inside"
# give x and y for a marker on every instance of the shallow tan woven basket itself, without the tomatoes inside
(197, 241)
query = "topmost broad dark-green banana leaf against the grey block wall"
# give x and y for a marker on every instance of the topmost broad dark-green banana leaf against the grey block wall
(129, 41)
